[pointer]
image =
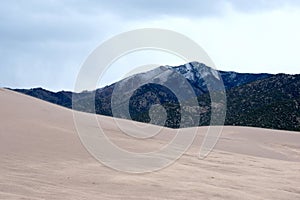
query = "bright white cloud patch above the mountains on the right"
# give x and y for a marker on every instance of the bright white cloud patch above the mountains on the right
(257, 42)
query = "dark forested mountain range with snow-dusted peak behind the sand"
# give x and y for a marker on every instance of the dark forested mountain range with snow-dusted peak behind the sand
(258, 100)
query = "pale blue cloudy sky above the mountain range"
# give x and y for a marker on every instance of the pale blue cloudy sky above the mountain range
(45, 43)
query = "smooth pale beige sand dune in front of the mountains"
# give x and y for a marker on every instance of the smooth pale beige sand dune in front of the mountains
(41, 157)
